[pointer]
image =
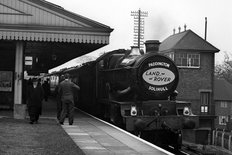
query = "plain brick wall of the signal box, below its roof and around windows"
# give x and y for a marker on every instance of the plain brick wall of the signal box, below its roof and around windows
(192, 80)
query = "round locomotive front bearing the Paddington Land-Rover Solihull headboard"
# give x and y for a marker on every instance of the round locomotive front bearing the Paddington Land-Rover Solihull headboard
(157, 77)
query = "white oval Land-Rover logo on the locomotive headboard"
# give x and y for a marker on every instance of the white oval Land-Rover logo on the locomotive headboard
(158, 76)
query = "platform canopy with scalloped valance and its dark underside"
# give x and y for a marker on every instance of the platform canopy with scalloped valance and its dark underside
(51, 34)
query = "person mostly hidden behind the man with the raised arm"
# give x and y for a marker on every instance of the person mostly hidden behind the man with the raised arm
(58, 98)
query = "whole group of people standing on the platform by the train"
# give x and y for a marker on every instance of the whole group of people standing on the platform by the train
(65, 98)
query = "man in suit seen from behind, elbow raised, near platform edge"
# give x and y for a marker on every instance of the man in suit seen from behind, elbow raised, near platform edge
(66, 90)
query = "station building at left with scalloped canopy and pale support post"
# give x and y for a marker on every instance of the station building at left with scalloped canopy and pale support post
(36, 36)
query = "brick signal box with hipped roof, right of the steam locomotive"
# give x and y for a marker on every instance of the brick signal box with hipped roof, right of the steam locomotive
(195, 58)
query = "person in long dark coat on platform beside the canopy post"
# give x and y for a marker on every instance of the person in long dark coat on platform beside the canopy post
(35, 96)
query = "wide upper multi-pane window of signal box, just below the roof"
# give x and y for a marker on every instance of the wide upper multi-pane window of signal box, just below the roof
(189, 60)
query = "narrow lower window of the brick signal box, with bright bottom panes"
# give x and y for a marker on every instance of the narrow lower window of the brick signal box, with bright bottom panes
(205, 101)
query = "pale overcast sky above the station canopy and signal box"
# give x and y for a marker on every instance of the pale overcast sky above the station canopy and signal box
(163, 17)
